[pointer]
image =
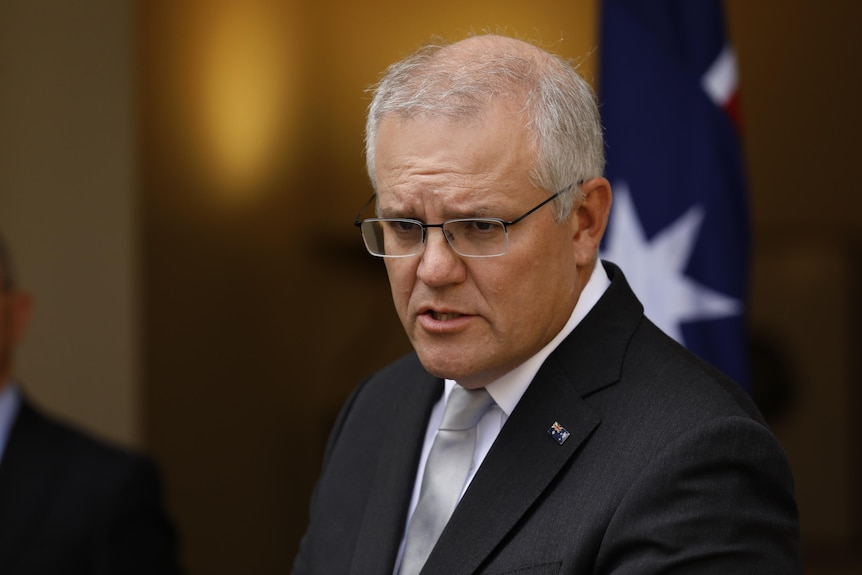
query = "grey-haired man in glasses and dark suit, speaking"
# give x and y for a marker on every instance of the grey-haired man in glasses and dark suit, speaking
(608, 448)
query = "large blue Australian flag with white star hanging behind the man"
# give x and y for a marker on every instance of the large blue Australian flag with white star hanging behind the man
(679, 224)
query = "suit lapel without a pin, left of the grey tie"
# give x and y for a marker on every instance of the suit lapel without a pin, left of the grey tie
(386, 511)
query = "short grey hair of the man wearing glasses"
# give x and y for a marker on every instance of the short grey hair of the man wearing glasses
(558, 106)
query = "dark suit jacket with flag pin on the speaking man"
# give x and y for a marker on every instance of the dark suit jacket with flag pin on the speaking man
(669, 468)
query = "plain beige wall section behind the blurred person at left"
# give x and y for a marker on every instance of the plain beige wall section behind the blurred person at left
(67, 195)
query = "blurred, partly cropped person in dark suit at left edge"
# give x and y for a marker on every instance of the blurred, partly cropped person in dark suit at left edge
(69, 504)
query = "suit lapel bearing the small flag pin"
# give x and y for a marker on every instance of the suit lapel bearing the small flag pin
(525, 459)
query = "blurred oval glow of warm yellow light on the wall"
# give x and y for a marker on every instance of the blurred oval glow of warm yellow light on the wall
(243, 89)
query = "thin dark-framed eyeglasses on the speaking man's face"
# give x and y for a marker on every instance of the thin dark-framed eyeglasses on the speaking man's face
(469, 237)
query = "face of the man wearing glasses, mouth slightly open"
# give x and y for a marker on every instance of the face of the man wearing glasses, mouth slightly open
(474, 319)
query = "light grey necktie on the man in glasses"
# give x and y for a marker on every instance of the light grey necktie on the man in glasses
(446, 473)
